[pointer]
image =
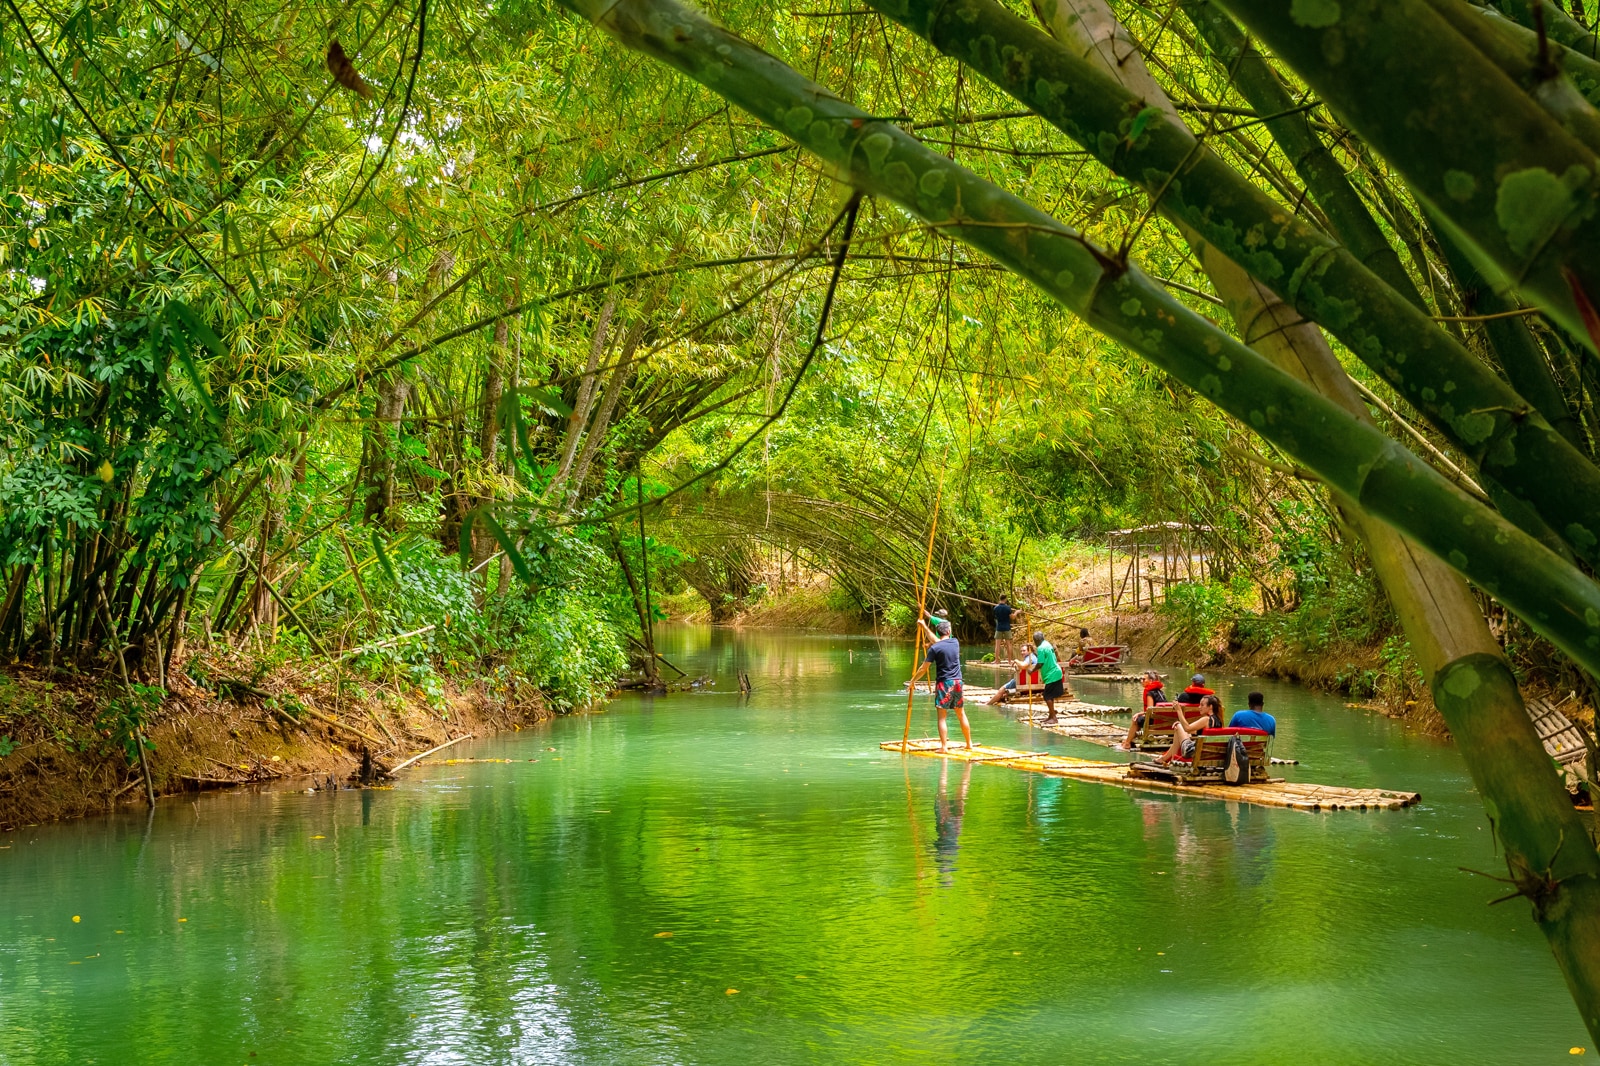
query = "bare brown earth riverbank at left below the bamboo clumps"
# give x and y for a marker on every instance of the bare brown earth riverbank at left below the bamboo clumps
(226, 721)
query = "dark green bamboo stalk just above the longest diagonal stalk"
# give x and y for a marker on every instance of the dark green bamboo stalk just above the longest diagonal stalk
(1462, 398)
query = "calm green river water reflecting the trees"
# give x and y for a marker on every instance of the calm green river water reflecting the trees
(601, 902)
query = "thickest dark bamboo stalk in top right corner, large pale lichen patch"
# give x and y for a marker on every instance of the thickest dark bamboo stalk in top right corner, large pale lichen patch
(1470, 142)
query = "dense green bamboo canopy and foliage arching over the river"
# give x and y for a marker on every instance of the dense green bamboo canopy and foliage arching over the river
(334, 323)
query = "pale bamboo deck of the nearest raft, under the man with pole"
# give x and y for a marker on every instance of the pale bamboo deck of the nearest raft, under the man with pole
(1274, 793)
